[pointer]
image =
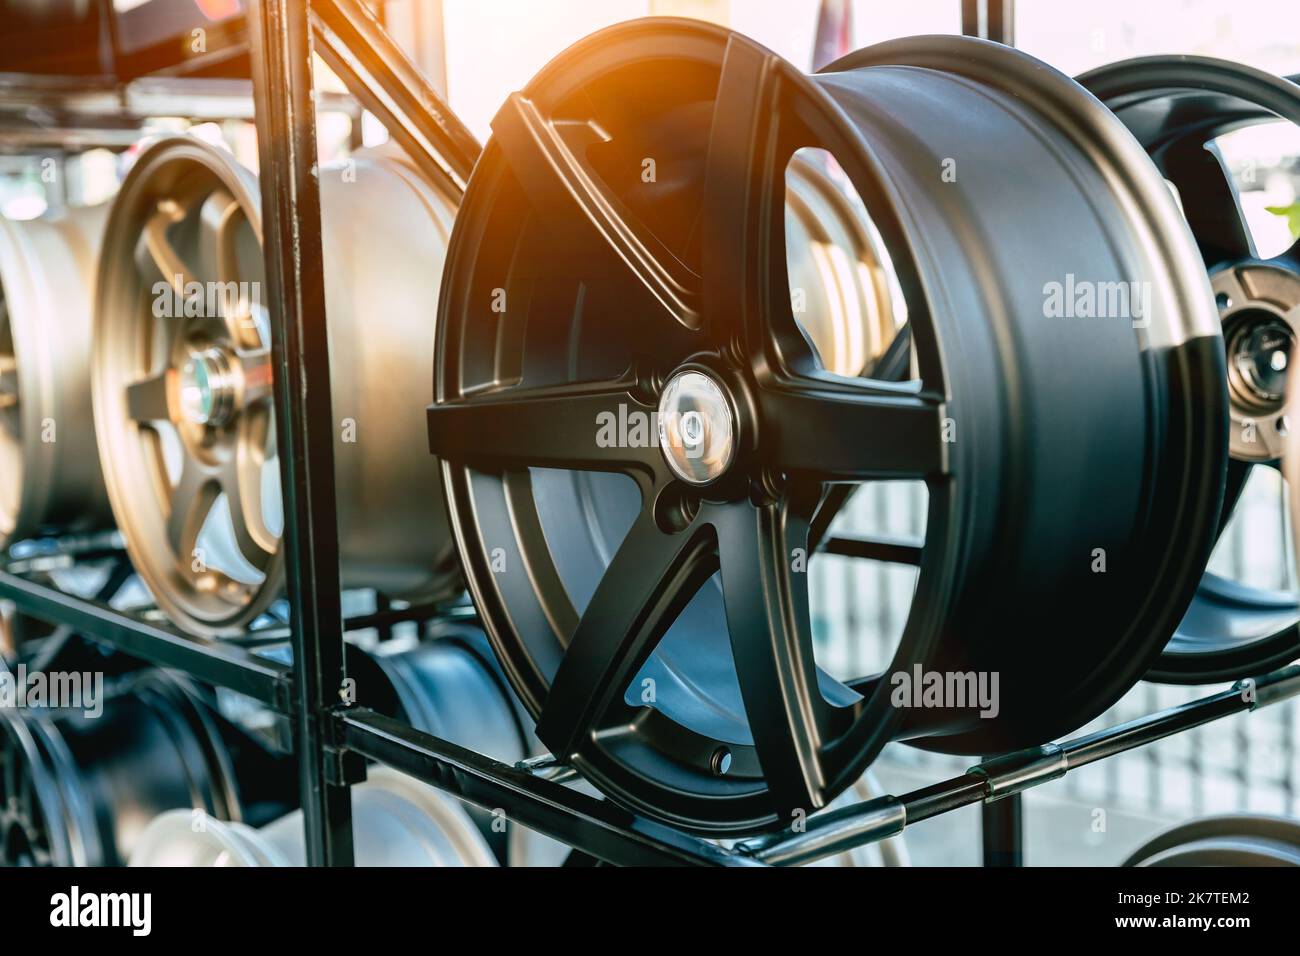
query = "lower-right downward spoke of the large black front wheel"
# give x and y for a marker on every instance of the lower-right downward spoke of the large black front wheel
(768, 615)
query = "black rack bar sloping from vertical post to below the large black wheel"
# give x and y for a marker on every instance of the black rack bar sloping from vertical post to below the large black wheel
(595, 827)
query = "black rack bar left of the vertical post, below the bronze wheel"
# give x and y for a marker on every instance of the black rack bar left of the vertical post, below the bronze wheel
(216, 663)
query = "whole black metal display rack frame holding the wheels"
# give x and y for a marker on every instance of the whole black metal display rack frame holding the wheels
(335, 741)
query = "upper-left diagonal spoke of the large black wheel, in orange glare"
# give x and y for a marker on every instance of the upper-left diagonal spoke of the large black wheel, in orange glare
(545, 157)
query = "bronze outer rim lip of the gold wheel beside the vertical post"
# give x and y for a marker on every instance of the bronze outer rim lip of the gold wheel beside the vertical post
(119, 438)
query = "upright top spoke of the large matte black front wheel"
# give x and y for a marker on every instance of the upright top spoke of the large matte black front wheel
(743, 220)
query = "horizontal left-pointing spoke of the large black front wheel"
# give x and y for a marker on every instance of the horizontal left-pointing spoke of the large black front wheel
(587, 427)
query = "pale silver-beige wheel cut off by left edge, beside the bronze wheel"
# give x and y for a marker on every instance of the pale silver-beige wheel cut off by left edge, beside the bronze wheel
(50, 477)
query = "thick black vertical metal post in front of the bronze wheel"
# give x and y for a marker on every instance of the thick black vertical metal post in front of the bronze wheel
(292, 237)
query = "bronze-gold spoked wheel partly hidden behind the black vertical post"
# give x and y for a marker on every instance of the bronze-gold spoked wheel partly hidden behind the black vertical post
(183, 382)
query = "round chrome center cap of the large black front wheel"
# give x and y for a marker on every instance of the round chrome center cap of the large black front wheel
(697, 429)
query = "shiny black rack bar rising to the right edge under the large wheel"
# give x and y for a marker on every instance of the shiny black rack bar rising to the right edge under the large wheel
(1013, 773)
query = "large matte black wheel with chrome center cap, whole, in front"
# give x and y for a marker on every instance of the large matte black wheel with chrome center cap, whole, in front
(639, 439)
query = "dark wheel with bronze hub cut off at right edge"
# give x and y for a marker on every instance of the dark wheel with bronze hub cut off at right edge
(1177, 107)
